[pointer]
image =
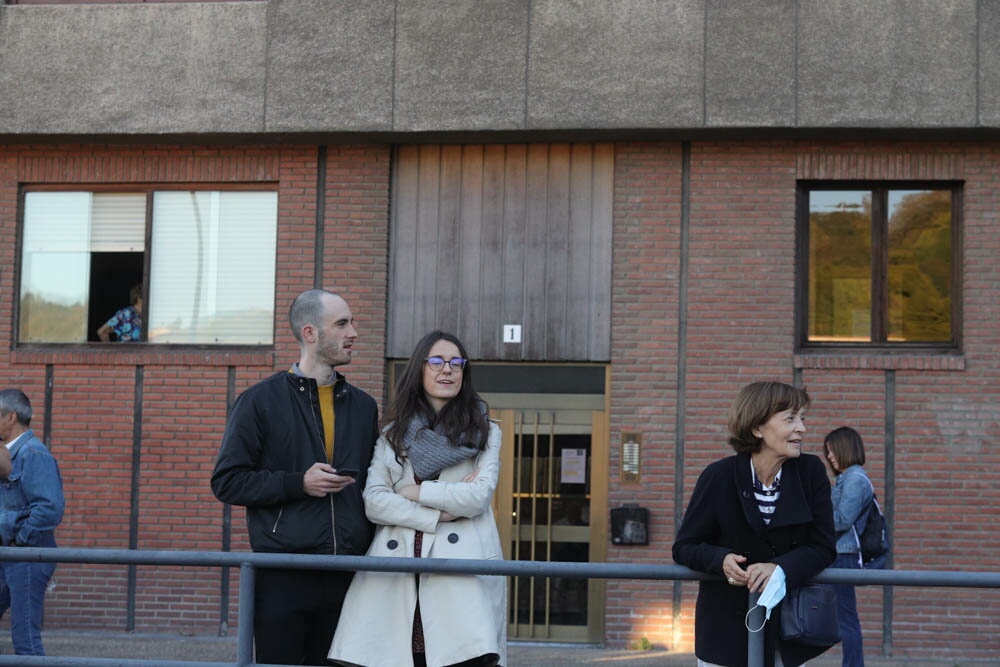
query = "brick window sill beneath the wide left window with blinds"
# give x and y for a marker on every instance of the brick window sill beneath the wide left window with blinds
(139, 354)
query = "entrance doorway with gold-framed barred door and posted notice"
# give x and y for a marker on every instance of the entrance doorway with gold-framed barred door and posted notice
(551, 501)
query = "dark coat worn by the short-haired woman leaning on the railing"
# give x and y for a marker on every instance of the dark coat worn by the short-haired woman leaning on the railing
(723, 517)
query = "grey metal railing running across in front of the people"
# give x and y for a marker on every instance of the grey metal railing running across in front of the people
(247, 562)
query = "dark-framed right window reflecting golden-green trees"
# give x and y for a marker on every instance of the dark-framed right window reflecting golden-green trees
(878, 264)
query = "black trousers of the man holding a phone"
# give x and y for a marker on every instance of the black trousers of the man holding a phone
(296, 614)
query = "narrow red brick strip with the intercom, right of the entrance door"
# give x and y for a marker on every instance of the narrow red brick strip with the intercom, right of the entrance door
(644, 358)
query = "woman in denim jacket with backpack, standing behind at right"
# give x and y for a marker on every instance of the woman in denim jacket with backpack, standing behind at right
(852, 492)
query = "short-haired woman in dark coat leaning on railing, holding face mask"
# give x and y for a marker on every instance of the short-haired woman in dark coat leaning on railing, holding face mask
(767, 507)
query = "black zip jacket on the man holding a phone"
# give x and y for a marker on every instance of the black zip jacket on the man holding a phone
(273, 435)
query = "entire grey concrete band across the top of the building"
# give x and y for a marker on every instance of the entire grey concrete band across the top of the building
(408, 67)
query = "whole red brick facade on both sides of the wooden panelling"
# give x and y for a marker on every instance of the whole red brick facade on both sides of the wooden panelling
(736, 284)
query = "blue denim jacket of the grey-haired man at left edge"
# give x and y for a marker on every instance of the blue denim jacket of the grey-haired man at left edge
(41, 485)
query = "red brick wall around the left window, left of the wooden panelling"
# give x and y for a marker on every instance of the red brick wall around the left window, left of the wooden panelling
(184, 394)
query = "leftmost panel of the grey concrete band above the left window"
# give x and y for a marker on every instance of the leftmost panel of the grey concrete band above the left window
(121, 69)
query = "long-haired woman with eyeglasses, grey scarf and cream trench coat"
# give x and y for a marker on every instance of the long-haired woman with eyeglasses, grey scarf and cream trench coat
(429, 491)
